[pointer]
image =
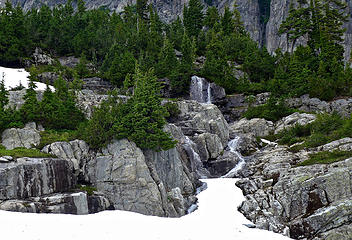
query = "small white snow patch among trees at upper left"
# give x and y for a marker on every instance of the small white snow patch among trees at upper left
(15, 76)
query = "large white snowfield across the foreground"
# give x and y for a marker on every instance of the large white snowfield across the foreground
(216, 218)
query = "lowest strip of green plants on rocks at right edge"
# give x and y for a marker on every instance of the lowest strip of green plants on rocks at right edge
(326, 157)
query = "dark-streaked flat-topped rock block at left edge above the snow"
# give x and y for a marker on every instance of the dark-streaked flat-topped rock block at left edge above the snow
(33, 177)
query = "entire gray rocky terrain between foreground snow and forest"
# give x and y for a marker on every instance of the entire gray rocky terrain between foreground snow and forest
(302, 202)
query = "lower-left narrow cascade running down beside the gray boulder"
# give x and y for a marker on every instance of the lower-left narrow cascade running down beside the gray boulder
(196, 162)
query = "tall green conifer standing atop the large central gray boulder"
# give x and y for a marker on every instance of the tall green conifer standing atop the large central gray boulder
(145, 119)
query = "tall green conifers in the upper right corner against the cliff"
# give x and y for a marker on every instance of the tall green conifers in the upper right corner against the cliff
(317, 69)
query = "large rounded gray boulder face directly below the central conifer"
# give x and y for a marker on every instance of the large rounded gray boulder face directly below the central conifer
(120, 172)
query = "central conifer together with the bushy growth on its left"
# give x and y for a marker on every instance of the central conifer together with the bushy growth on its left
(141, 119)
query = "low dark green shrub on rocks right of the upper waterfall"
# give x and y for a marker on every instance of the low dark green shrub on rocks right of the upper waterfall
(273, 110)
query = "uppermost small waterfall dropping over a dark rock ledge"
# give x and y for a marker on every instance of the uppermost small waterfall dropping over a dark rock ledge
(200, 90)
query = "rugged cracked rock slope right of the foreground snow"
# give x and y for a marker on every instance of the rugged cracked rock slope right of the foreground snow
(301, 202)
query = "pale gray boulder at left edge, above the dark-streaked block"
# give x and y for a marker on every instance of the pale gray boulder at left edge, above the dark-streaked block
(26, 137)
